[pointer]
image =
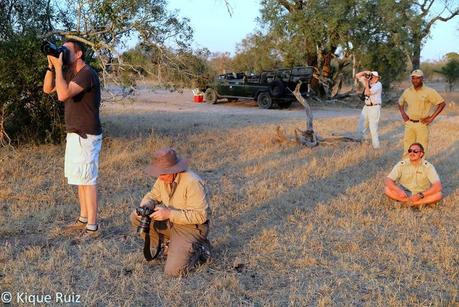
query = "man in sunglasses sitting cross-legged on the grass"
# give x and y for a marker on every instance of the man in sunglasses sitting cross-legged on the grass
(414, 180)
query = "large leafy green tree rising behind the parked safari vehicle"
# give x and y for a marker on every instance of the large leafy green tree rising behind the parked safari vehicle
(310, 32)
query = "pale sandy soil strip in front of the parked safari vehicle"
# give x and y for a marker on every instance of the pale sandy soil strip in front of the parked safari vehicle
(147, 101)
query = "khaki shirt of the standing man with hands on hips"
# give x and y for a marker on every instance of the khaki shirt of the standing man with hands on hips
(419, 102)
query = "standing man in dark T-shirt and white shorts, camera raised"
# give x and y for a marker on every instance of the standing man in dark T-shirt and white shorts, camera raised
(77, 86)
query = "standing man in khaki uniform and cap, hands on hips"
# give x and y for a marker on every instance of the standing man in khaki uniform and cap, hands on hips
(418, 100)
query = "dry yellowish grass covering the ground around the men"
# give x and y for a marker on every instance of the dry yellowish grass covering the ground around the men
(290, 225)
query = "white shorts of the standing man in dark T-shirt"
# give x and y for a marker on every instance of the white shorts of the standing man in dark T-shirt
(82, 159)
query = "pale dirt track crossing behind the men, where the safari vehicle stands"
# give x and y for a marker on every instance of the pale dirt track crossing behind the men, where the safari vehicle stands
(152, 103)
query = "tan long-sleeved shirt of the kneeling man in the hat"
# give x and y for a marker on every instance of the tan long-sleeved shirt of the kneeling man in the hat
(189, 203)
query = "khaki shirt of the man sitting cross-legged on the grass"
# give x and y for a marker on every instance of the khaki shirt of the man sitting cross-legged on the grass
(416, 178)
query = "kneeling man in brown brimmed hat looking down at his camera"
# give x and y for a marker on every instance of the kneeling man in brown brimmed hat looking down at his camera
(182, 218)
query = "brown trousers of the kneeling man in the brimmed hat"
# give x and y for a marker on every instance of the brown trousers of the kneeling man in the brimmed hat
(184, 242)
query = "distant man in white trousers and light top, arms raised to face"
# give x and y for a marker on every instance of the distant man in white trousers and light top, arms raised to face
(369, 117)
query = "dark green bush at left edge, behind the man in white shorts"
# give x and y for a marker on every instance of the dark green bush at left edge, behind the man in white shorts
(26, 113)
